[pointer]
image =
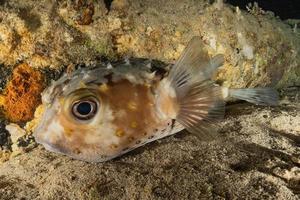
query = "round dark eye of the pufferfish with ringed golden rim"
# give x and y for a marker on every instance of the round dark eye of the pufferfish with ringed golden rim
(84, 109)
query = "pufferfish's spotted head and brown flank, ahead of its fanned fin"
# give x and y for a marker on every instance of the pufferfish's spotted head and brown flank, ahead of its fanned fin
(95, 115)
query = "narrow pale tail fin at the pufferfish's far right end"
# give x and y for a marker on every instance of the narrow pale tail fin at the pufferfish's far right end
(258, 96)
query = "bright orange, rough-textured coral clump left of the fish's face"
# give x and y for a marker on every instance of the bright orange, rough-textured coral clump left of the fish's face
(23, 93)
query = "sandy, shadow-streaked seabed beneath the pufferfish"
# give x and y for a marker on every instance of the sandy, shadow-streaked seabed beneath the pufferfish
(256, 157)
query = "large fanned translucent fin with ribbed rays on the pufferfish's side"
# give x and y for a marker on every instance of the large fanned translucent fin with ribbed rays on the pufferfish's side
(200, 102)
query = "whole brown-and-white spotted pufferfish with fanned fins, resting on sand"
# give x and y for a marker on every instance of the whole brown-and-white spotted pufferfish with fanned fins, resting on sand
(98, 114)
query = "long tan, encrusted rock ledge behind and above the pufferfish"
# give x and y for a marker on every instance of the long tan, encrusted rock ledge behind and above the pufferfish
(259, 48)
